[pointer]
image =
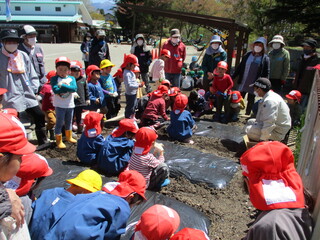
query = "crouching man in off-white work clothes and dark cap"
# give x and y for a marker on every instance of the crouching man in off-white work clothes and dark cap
(273, 119)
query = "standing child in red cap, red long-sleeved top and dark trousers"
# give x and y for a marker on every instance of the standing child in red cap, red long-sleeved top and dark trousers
(222, 85)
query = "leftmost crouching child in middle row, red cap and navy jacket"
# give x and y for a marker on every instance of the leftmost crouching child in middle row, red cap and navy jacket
(91, 139)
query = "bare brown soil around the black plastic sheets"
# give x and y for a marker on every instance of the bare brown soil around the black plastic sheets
(229, 209)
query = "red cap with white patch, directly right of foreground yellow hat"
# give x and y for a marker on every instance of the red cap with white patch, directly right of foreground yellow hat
(130, 181)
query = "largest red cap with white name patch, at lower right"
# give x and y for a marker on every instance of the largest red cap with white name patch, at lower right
(273, 180)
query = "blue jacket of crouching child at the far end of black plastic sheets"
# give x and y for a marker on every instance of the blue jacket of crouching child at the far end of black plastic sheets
(181, 125)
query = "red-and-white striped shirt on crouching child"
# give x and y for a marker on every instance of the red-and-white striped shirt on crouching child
(144, 164)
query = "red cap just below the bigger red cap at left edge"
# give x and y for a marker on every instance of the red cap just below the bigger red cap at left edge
(32, 166)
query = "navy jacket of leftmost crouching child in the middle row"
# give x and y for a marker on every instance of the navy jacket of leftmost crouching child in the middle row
(88, 148)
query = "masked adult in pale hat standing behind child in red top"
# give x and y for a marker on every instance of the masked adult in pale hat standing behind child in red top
(214, 54)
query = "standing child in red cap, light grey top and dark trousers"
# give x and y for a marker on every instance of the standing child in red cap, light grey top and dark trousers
(131, 84)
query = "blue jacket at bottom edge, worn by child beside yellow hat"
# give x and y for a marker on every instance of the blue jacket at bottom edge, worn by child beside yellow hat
(96, 216)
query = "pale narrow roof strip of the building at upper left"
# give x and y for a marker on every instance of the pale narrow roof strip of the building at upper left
(23, 18)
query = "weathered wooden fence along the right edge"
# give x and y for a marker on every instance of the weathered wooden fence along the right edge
(309, 158)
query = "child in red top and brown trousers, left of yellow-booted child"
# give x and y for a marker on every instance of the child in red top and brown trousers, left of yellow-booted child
(47, 104)
